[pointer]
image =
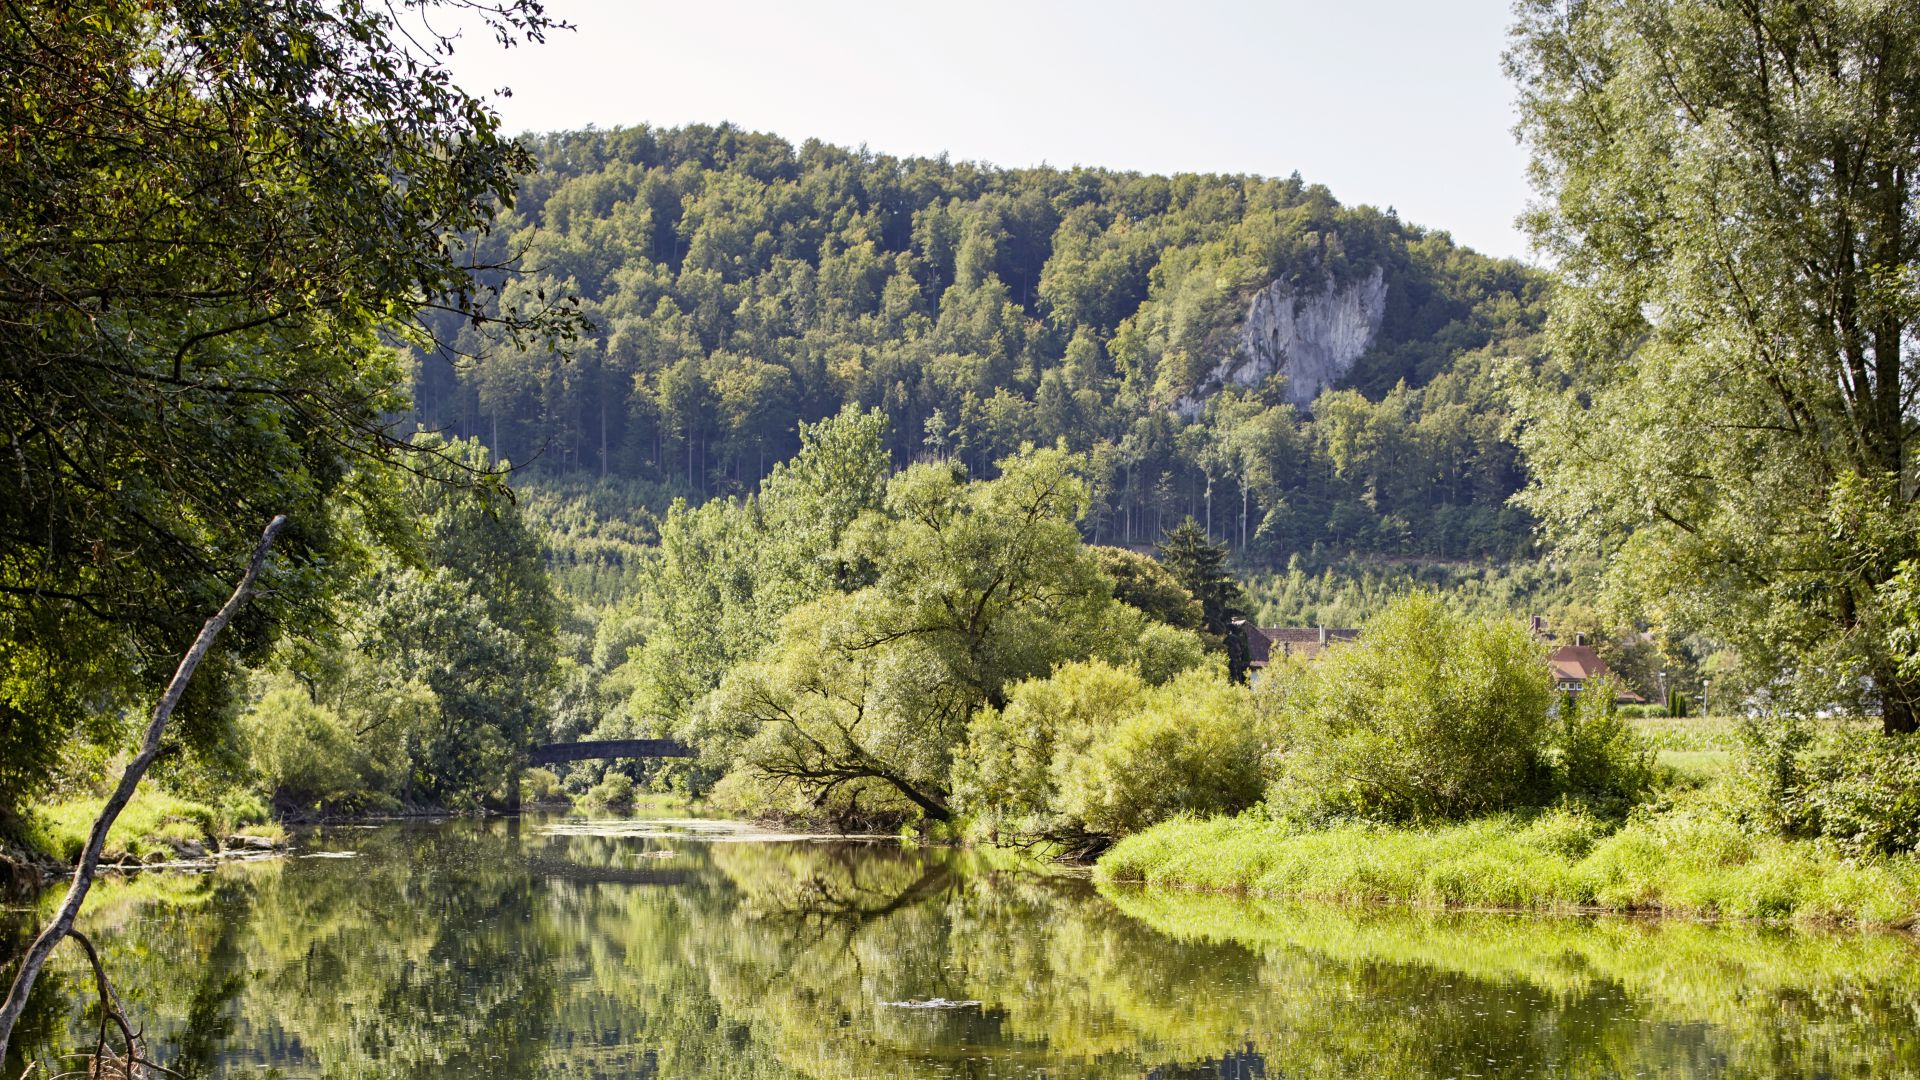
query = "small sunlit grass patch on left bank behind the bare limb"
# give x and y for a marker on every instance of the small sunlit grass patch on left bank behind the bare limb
(151, 829)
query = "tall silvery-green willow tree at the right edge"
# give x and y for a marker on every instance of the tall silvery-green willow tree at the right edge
(1729, 195)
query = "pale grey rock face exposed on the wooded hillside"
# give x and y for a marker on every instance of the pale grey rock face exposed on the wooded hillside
(1310, 337)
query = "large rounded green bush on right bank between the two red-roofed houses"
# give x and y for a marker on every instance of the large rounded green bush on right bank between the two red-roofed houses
(1428, 718)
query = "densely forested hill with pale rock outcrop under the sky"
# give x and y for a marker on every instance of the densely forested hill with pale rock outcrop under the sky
(1297, 374)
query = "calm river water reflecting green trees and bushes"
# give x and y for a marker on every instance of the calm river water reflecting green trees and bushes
(686, 948)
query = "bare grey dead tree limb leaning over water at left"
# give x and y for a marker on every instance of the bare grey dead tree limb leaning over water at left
(84, 875)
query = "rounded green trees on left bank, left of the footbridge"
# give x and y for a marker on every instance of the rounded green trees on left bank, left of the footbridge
(443, 674)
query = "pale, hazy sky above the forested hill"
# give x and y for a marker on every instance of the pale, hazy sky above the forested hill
(1387, 103)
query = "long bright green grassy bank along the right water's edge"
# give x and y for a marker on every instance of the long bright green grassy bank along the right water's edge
(1689, 860)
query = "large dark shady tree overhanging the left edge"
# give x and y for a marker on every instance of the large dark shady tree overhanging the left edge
(218, 220)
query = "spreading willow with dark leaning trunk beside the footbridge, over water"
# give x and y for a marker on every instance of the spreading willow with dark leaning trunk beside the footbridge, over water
(974, 585)
